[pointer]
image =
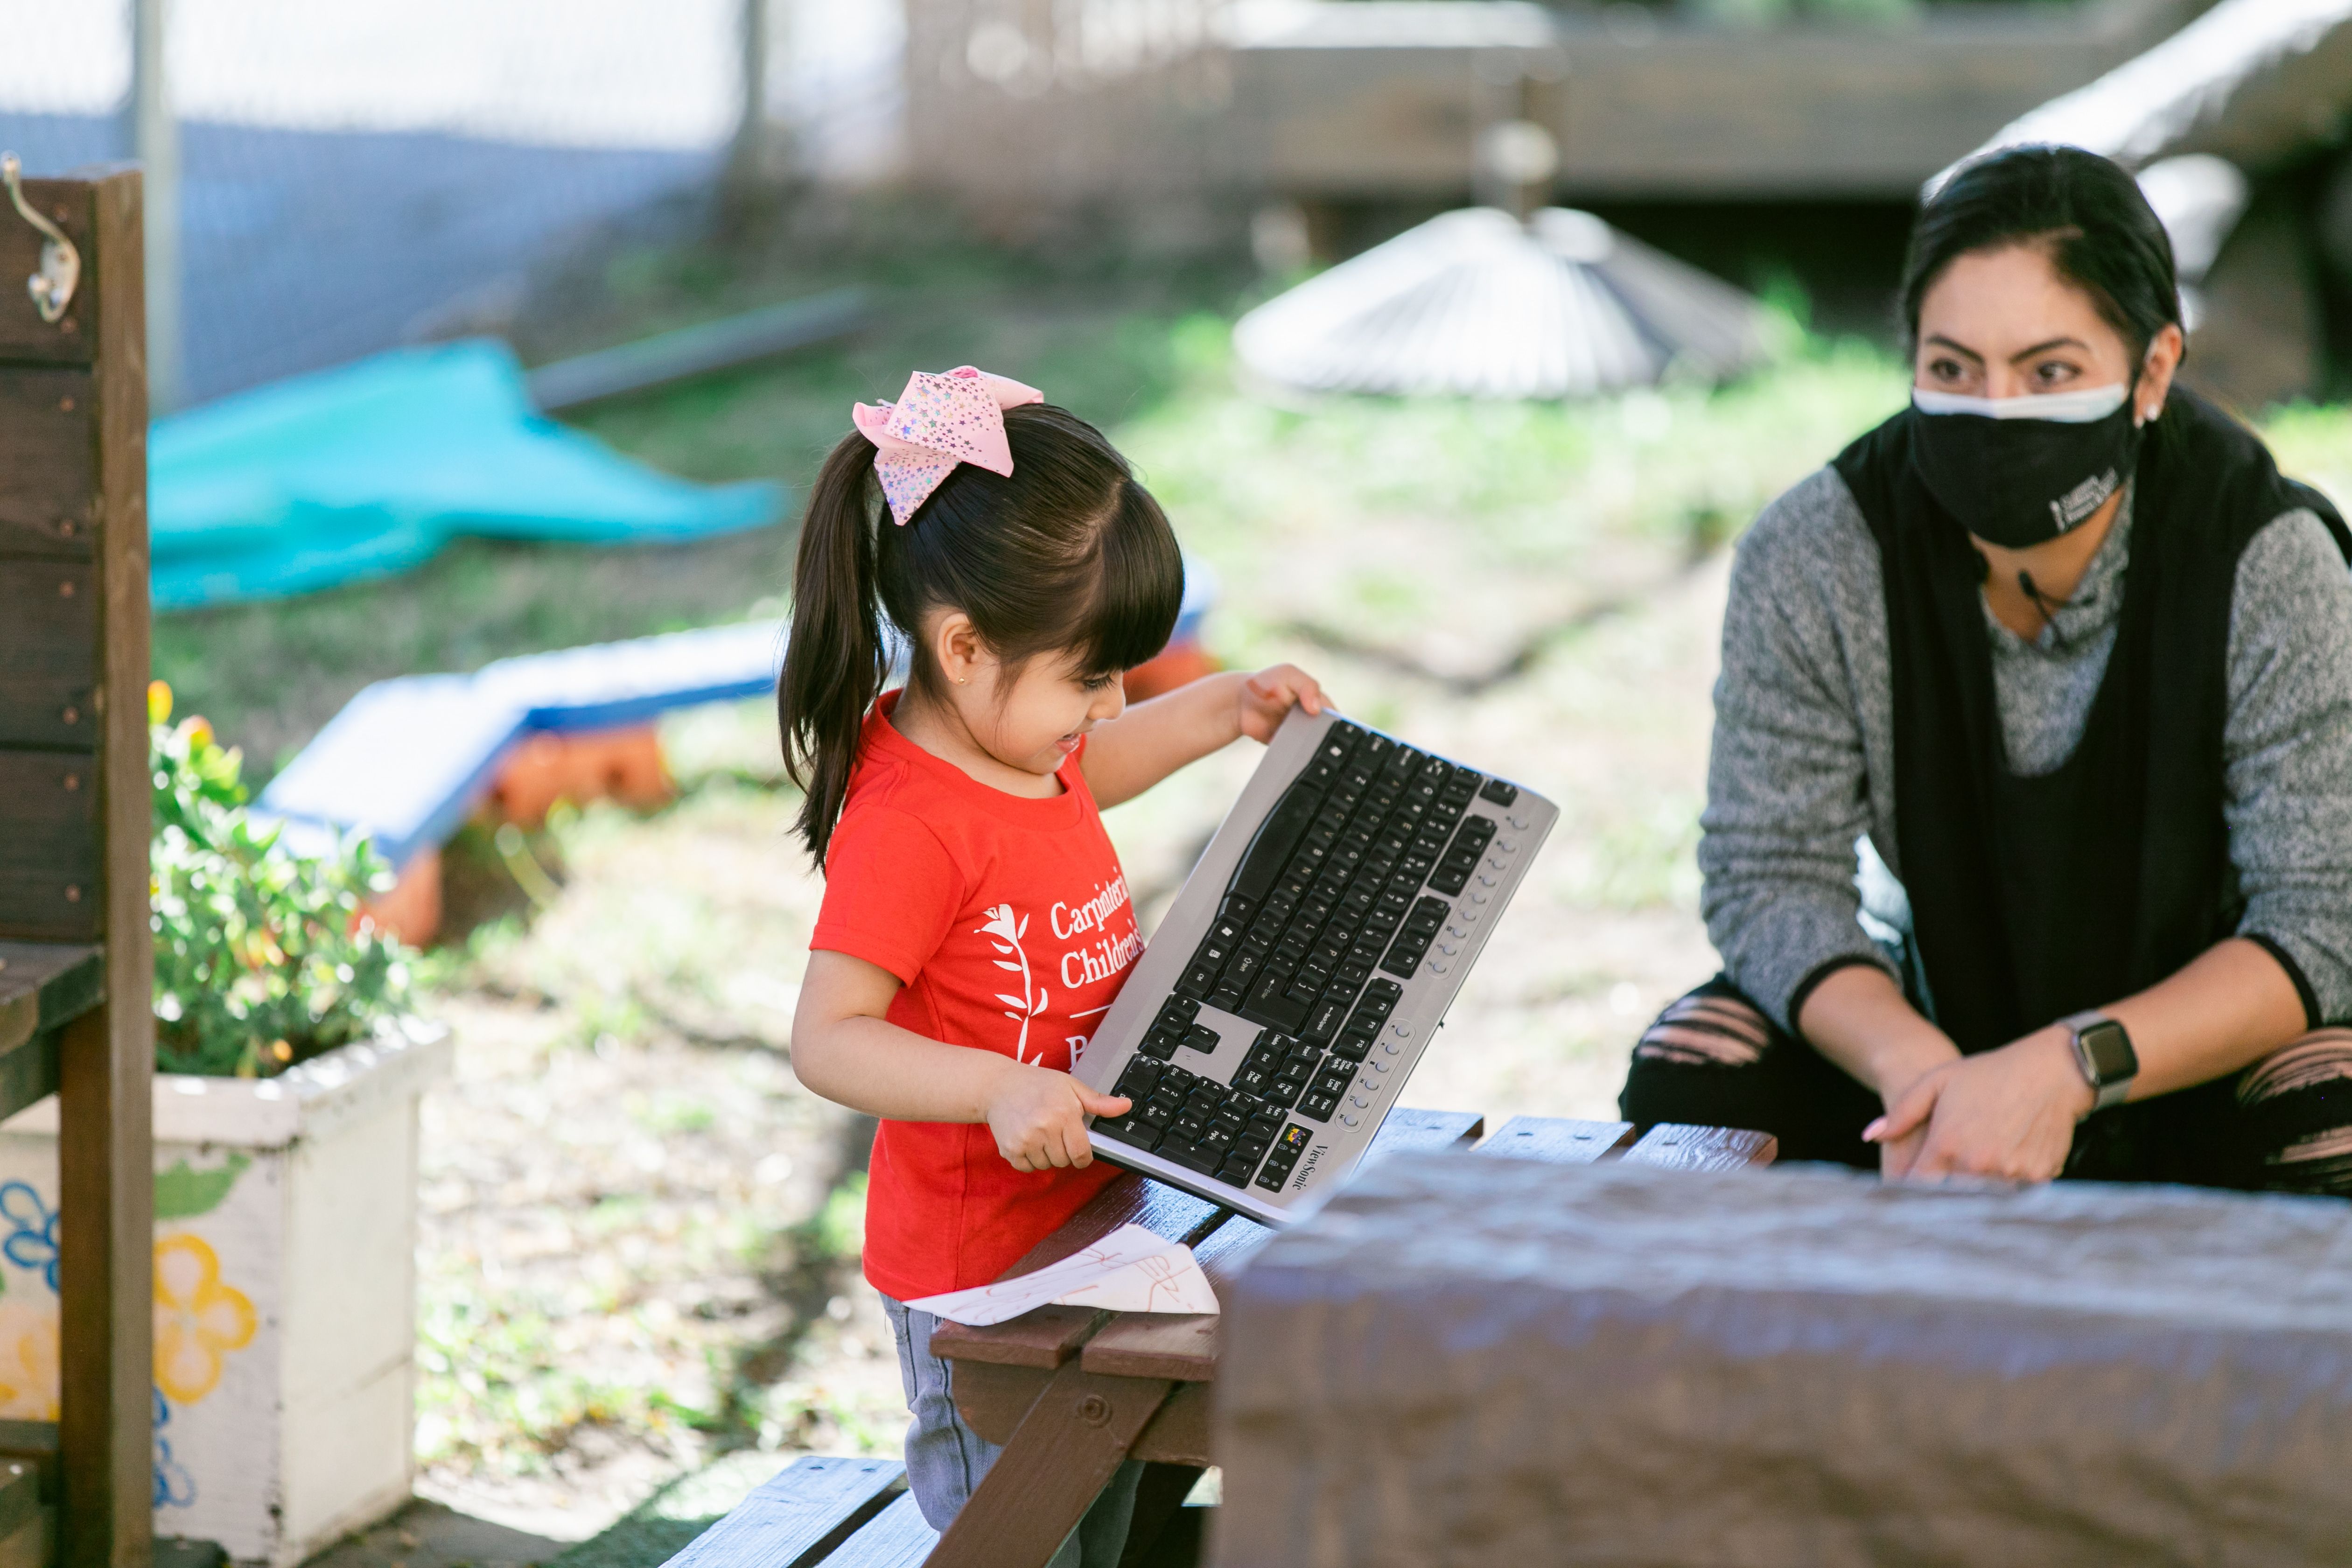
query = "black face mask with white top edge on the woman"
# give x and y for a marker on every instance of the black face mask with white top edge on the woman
(2024, 481)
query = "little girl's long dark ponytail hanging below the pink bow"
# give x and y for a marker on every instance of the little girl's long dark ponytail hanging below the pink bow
(836, 659)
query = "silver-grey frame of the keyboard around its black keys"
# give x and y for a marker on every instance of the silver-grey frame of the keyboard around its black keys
(1339, 1144)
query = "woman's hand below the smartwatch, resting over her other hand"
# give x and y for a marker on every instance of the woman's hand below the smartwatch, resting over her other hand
(2005, 1113)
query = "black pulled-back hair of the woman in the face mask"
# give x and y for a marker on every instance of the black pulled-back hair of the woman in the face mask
(2085, 210)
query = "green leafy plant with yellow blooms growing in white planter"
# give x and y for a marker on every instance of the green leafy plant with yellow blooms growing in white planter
(265, 958)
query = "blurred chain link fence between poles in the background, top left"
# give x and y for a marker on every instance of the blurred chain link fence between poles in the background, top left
(370, 173)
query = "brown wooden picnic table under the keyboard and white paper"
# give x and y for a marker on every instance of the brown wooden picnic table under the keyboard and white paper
(1071, 1393)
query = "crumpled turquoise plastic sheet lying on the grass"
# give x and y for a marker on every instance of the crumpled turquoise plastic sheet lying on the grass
(370, 469)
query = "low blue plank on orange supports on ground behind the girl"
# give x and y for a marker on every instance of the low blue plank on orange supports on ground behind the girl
(408, 758)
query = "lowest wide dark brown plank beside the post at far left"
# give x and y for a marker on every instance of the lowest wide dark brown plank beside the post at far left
(51, 876)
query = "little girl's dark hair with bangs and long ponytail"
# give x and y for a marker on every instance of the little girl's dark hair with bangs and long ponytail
(1067, 556)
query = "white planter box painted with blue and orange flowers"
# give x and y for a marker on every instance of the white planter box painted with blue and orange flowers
(286, 1294)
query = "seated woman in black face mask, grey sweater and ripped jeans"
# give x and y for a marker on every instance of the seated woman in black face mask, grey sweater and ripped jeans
(2066, 659)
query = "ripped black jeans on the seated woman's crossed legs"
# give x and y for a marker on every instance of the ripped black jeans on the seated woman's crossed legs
(2283, 1125)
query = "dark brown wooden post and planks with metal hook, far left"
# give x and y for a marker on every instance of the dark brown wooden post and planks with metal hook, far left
(74, 721)
